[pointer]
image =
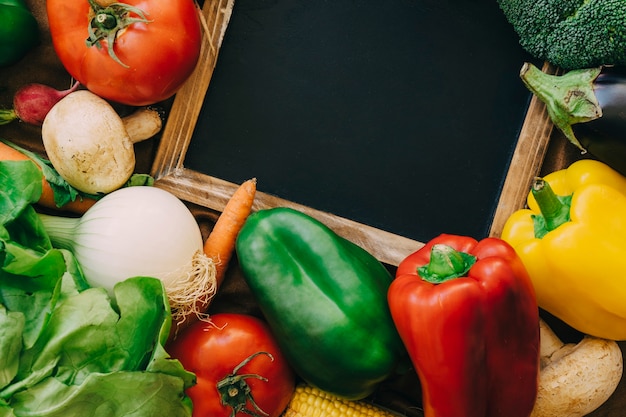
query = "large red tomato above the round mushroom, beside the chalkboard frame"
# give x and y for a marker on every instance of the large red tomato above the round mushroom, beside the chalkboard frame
(155, 57)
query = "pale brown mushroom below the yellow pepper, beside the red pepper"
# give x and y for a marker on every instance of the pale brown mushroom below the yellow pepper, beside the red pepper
(575, 379)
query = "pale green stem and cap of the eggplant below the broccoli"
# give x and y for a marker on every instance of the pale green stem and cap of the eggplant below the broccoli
(569, 98)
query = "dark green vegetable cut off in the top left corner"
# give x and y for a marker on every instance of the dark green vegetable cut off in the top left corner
(19, 31)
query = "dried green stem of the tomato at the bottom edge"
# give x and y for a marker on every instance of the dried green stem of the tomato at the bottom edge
(235, 391)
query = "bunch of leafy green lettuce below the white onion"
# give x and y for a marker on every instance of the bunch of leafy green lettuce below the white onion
(65, 348)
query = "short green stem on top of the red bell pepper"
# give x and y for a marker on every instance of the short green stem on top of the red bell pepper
(445, 263)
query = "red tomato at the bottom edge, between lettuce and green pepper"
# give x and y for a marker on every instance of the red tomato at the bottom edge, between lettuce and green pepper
(214, 352)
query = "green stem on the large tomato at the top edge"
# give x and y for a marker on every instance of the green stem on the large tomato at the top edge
(109, 21)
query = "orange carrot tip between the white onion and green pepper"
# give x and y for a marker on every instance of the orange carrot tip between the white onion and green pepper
(220, 244)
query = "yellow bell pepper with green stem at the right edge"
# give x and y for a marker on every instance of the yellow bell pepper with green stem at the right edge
(572, 240)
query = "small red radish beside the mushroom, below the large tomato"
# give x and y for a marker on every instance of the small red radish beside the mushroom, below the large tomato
(32, 102)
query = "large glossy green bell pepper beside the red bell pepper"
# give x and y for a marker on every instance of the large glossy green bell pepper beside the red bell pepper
(325, 300)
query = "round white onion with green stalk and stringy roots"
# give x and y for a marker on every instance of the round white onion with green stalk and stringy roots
(139, 231)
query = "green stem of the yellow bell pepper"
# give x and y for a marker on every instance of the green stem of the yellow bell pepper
(555, 211)
